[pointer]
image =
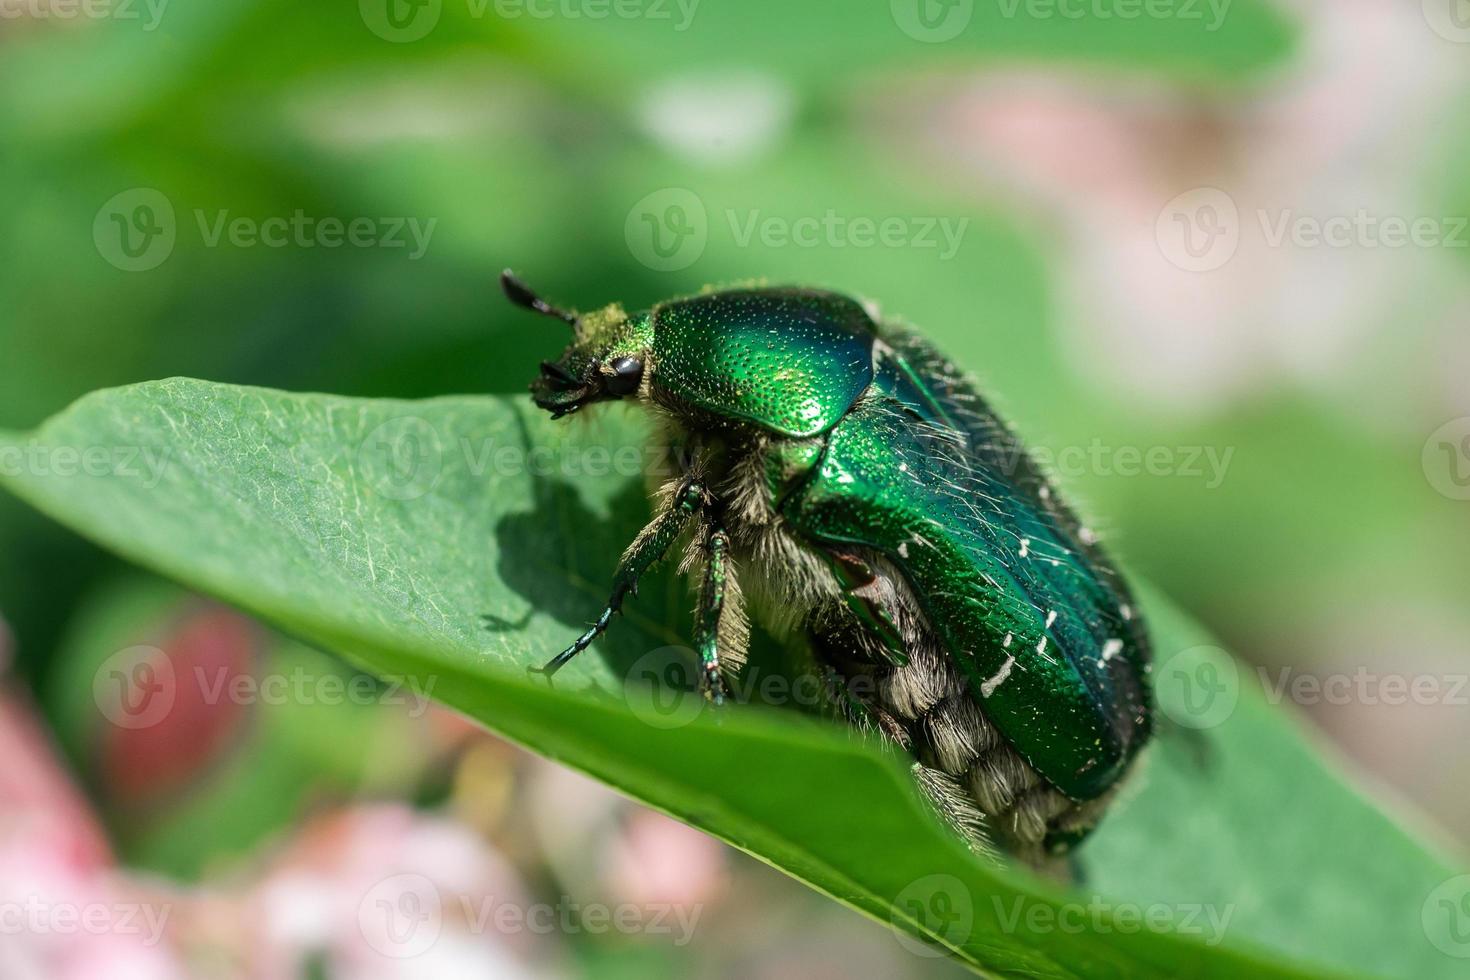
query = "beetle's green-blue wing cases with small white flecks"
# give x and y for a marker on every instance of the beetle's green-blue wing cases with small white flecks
(1031, 612)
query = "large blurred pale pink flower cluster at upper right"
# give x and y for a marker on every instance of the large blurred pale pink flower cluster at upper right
(1114, 164)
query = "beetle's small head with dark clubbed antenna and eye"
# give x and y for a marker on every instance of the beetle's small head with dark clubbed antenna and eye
(605, 361)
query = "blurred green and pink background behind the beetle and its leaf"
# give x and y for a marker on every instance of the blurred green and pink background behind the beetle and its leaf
(1211, 256)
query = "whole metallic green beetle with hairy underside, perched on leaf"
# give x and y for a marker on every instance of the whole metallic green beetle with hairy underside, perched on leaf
(852, 483)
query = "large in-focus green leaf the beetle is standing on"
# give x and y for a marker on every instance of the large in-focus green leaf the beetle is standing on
(384, 530)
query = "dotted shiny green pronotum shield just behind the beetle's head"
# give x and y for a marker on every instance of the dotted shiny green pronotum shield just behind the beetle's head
(792, 361)
